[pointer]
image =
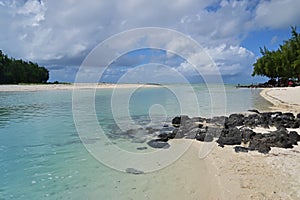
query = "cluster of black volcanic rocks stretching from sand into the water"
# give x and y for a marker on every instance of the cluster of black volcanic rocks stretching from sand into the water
(237, 129)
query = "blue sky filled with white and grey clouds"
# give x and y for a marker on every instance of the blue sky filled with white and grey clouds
(61, 34)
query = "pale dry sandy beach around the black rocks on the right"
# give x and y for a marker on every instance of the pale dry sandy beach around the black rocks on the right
(260, 176)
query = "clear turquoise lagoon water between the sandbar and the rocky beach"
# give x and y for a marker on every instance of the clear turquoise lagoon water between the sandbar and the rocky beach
(43, 157)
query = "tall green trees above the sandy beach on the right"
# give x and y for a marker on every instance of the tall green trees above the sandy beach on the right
(283, 64)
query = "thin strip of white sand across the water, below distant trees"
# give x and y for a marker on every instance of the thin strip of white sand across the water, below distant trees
(37, 87)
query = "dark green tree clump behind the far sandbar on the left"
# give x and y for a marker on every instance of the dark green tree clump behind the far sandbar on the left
(14, 71)
